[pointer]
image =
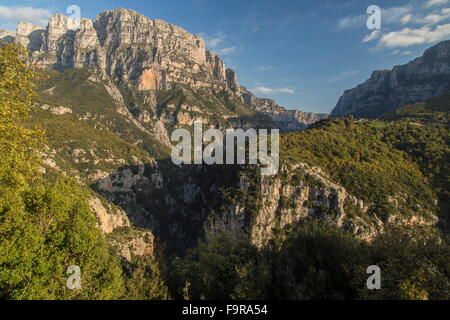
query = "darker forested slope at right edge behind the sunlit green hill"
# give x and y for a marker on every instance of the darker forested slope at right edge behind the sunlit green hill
(422, 131)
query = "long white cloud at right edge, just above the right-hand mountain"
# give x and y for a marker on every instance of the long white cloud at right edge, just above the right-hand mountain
(408, 37)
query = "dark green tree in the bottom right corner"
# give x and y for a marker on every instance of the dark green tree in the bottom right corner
(414, 265)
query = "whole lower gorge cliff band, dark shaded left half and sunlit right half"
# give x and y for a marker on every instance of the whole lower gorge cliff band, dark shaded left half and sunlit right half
(181, 205)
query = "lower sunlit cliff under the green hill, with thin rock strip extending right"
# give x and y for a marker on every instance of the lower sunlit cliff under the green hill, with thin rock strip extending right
(296, 193)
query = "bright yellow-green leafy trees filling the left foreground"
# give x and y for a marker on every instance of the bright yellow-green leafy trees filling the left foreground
(44, 227)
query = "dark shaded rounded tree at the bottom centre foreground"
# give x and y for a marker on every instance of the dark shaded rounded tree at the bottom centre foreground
(221, 268)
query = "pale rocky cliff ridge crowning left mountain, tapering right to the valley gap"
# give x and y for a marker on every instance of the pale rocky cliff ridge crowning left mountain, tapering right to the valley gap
(146, 54)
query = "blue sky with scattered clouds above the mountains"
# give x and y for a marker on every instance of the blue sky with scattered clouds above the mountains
(303, 54)
